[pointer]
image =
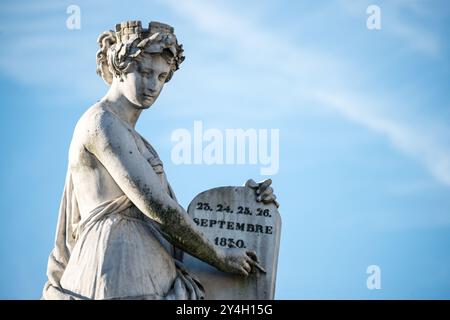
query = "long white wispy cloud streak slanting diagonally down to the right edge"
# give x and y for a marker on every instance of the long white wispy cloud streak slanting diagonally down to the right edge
(222, 23)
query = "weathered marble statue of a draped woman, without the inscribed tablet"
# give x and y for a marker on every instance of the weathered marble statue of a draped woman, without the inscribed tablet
(121, 233)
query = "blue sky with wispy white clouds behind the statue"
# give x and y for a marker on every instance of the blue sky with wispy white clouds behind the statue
(363, 116)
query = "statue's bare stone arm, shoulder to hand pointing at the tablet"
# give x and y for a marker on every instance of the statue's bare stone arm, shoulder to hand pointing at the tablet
(114, 146)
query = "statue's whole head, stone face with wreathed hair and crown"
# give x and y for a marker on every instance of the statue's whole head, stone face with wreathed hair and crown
(139, 61)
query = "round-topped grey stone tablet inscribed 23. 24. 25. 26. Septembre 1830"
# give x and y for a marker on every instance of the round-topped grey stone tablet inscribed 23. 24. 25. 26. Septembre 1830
(231, 216)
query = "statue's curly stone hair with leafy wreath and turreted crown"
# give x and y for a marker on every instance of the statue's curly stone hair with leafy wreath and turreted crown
(119, 48)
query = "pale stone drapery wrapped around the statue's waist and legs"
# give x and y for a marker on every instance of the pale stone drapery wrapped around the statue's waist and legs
(109, 254)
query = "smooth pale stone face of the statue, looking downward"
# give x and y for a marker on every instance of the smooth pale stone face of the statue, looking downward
(145, 80)
